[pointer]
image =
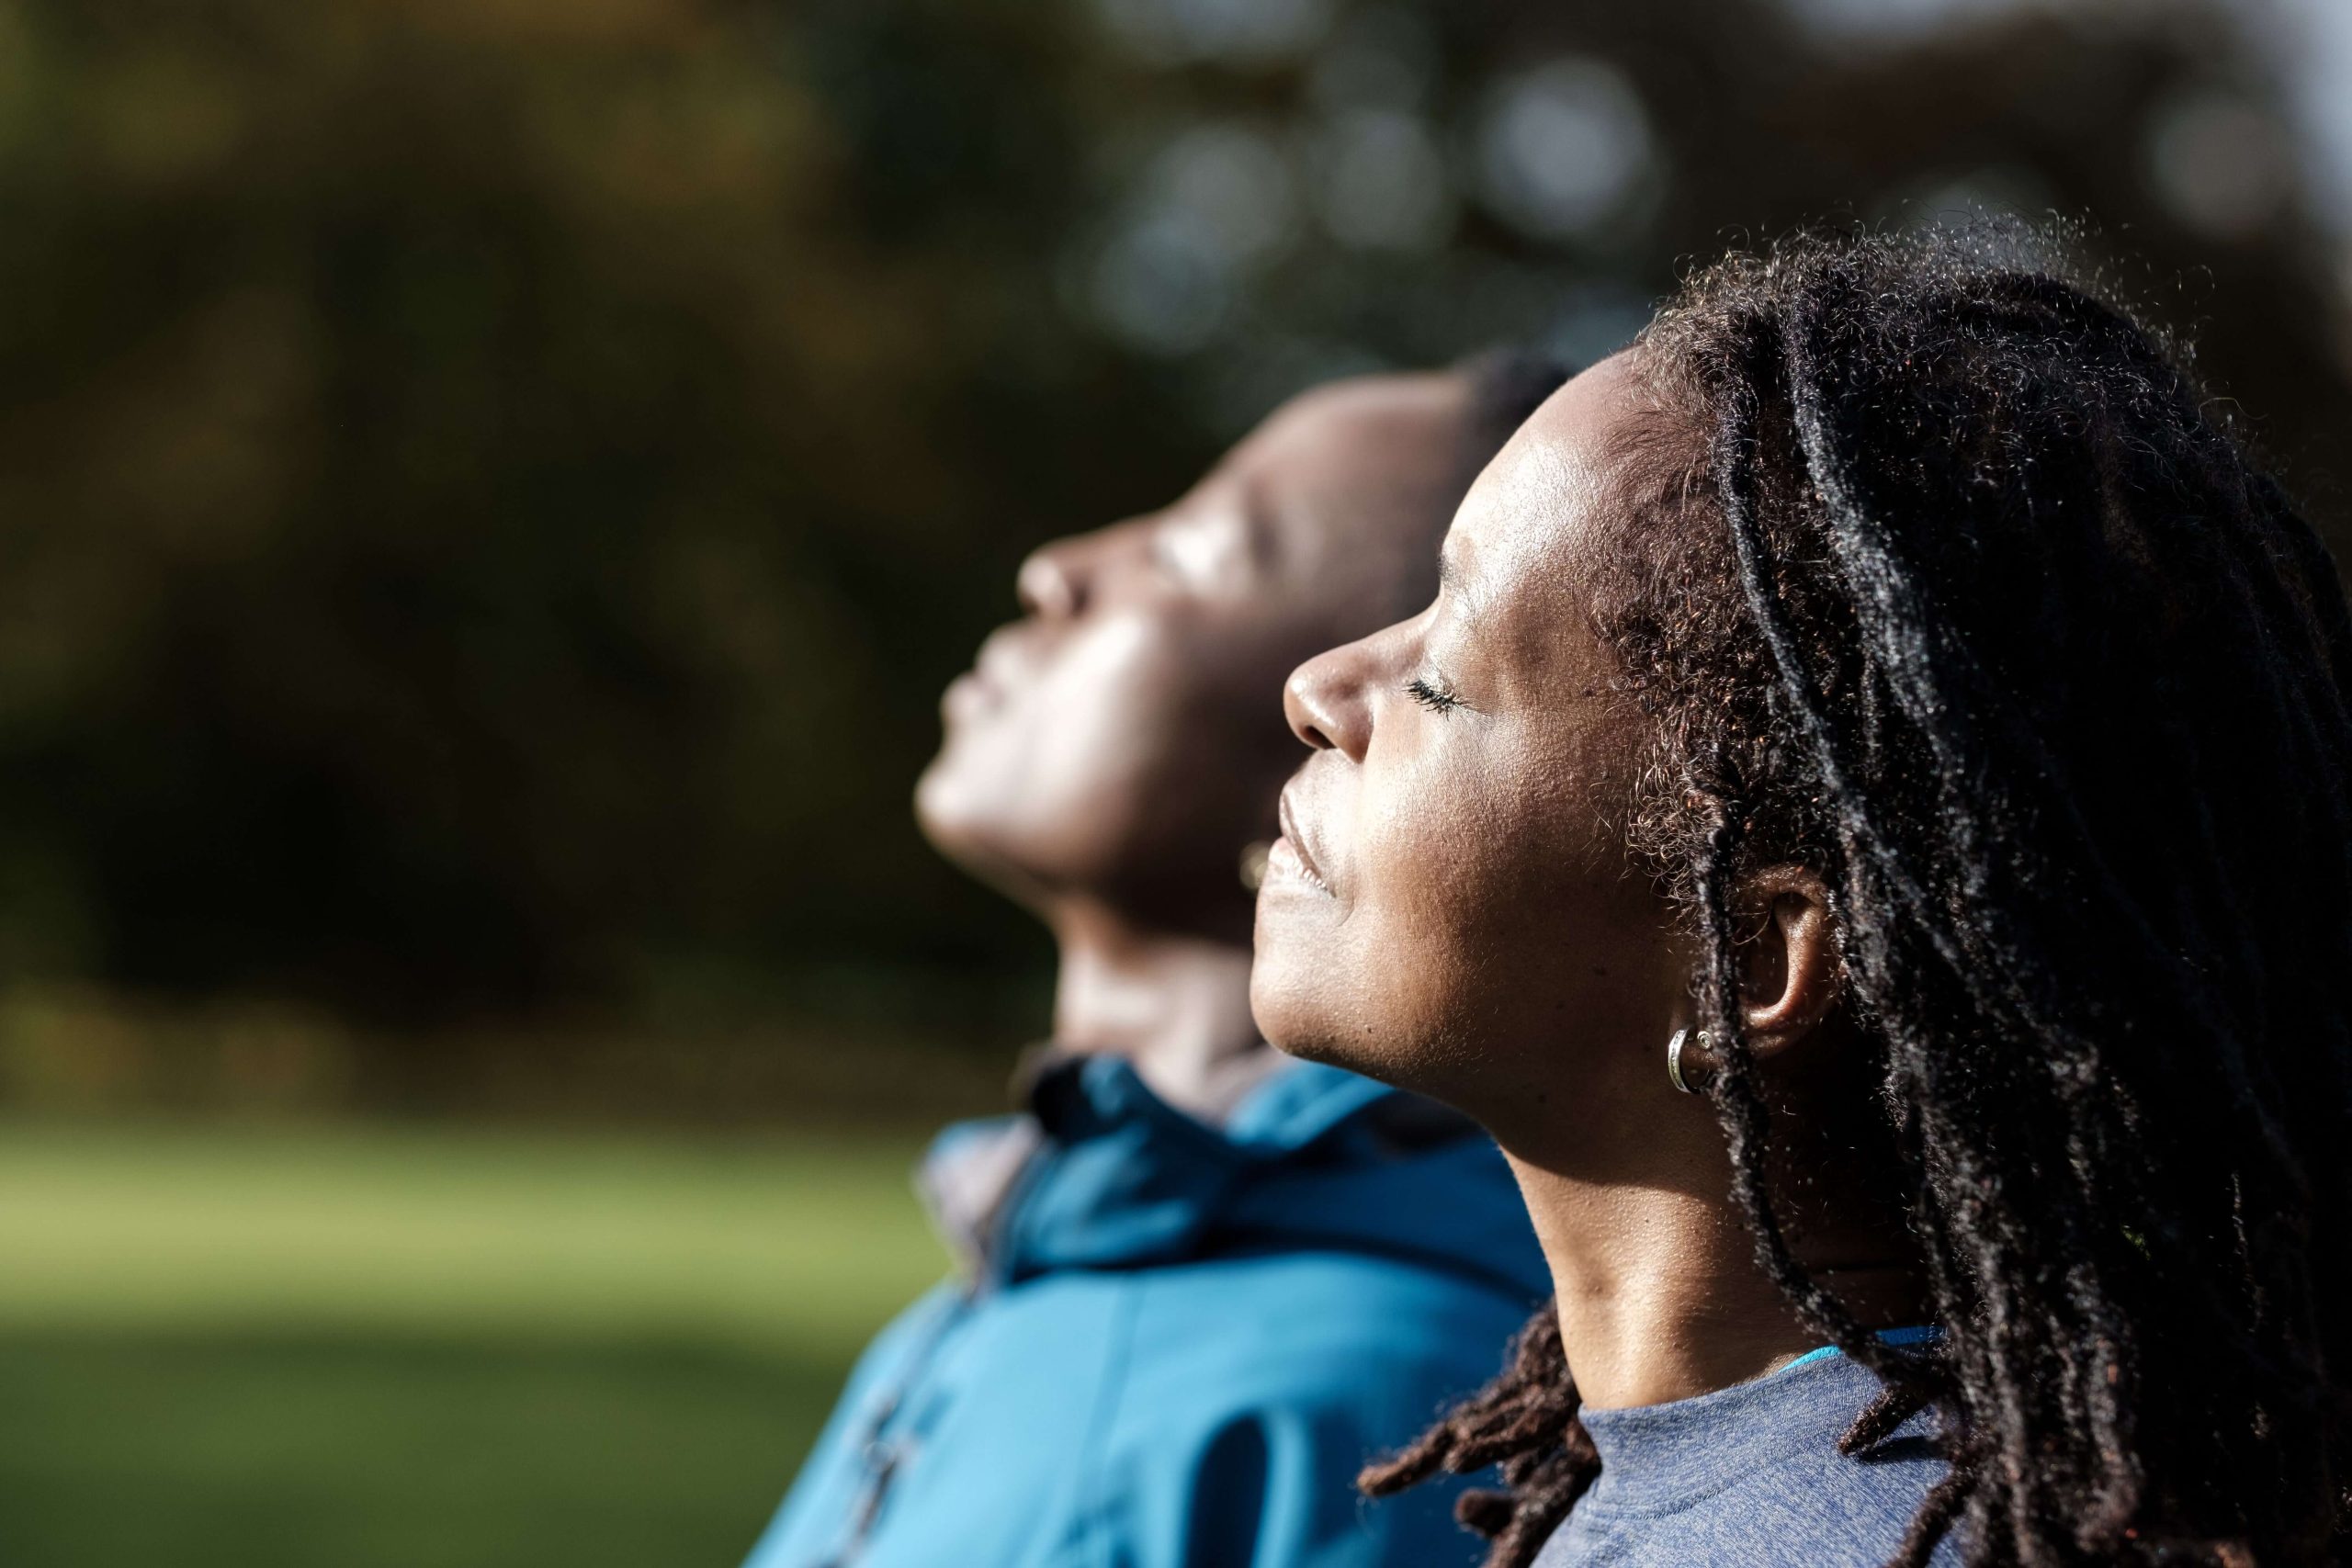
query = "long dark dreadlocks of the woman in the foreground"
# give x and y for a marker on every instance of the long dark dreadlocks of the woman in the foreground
(1967, 603)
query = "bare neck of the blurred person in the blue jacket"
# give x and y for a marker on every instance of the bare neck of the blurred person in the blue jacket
(1172, 1005)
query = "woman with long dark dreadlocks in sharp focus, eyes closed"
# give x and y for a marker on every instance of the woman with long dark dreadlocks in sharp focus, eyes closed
(1869, 829)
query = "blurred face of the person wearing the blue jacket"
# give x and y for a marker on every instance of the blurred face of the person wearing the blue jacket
(1123, 742)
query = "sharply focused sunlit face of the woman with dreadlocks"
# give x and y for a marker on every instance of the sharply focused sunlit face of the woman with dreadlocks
(1452, 904)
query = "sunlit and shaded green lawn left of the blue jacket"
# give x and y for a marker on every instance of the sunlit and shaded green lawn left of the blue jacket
(385, 1348)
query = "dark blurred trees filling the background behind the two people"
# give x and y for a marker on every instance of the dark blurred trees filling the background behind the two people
(493, 488)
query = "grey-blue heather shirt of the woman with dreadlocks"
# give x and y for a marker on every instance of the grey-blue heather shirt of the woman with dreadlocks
(1751, 1477)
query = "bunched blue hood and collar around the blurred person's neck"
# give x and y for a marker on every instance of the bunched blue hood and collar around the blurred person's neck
(1102, 1174)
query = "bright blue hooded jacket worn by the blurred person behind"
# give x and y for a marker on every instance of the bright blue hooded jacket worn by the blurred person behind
(1177, 1343)
